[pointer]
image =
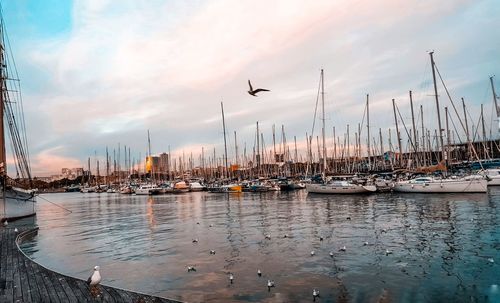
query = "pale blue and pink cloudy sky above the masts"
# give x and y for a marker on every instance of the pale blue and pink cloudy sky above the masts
(97, 73)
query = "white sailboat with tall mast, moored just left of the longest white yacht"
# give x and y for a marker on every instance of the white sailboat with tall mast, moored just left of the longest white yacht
(335, 186)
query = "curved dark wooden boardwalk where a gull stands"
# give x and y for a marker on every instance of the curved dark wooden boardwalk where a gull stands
(23, 280)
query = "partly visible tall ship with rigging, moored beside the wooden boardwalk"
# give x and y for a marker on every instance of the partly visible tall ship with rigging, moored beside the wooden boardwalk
(15, 202)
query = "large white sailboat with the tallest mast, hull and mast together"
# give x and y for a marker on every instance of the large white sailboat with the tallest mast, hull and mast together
(430, 184)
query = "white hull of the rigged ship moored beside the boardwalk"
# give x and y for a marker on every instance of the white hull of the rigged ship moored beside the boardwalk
(17, 203)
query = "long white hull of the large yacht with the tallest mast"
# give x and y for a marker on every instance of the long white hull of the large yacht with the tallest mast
(443, 186)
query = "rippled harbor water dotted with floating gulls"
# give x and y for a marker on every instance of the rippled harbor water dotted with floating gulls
(420, 248)
